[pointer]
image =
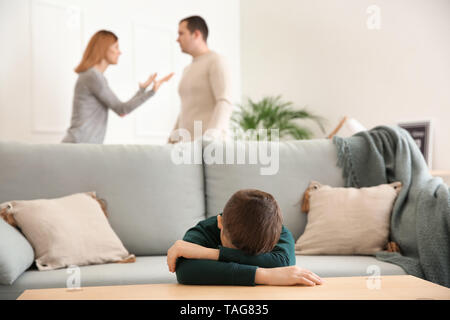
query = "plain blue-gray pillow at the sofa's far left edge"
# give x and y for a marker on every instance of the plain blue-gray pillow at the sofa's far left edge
(16, 253)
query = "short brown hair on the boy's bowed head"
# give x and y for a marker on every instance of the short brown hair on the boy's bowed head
(252, 221)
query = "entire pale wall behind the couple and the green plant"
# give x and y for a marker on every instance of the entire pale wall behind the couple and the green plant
(318, 54)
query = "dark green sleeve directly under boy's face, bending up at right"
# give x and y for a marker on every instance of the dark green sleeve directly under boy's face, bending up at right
(282, 255)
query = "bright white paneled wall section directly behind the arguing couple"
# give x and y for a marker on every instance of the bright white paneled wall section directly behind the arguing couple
(42, 42)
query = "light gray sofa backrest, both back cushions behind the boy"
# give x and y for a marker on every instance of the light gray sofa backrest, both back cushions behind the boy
(152, 200)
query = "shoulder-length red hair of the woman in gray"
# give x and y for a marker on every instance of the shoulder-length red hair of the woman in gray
(96, 49)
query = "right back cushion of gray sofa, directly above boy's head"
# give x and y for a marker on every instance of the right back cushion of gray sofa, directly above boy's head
(299, 162)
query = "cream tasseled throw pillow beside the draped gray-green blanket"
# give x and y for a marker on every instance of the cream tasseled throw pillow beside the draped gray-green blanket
(347, 221)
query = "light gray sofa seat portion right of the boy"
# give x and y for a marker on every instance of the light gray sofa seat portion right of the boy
(347, 266)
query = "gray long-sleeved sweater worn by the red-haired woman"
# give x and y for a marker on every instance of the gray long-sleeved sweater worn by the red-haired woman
(92, 99)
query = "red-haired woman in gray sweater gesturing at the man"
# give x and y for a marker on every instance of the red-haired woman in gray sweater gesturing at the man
(93, 97)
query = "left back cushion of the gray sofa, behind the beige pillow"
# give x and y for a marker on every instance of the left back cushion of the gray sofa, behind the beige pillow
(151, 200)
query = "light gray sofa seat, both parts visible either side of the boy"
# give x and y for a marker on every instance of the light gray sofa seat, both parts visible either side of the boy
(148, 270)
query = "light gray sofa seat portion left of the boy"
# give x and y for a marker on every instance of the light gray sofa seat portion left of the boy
(146, 270)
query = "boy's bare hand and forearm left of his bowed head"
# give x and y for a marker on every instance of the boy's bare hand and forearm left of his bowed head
(190, 251)
